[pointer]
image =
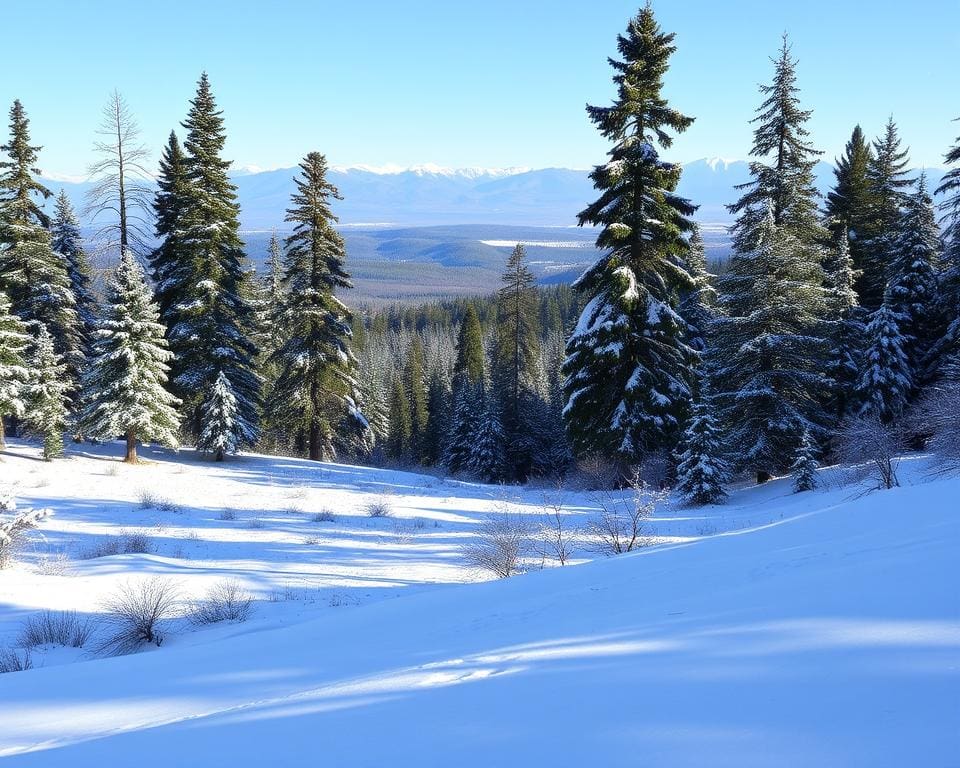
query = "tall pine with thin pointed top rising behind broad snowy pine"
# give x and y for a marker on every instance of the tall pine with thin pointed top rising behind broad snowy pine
(784, 185)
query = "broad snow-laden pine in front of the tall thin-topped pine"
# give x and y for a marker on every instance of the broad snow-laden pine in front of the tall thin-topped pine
(769, 378)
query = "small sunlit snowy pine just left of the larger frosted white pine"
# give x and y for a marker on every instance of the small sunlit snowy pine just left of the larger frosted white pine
(47, 395)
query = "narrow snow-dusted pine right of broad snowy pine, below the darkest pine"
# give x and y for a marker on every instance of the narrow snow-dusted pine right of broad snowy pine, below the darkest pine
(845, 326)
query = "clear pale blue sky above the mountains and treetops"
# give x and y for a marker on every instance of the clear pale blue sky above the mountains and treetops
(493, 83)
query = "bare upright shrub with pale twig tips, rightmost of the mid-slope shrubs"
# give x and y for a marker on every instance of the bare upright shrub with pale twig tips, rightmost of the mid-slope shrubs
(620, 526)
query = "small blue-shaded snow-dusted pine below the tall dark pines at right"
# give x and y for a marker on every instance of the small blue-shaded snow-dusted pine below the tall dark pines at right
(885, 379)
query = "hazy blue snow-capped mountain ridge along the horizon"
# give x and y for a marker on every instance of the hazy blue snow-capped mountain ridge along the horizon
(430, 195)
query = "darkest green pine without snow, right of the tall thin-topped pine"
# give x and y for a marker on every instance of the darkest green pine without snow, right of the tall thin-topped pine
(849, 203)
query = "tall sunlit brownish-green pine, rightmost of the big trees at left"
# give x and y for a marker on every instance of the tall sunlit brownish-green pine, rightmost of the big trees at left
(316, 380)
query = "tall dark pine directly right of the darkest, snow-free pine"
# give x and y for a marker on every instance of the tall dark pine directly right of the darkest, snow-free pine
(886, 175)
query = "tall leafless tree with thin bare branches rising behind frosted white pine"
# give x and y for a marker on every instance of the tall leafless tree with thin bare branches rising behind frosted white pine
(121, 195)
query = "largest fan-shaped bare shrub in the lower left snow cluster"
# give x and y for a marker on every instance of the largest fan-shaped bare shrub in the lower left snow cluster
(134, 615)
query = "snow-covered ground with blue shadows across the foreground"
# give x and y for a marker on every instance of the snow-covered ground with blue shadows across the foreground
(779, 629)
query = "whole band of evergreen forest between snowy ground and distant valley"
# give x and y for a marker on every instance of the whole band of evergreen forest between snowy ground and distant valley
(835, 323)
